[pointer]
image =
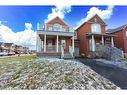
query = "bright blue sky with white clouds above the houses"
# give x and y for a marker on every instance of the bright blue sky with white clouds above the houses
(18, 24)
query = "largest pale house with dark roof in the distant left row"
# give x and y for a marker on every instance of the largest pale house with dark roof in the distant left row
(10, 48)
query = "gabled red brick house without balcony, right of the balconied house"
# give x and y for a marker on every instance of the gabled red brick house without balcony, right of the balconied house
(91, 34)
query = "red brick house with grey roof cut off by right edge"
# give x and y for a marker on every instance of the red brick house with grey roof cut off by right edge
(121, 39)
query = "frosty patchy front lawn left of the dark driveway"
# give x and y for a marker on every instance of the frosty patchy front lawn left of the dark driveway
(49, 74)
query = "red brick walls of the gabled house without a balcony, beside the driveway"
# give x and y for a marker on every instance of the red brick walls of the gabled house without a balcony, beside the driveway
(85, 28)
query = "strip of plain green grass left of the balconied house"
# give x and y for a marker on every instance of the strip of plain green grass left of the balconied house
(17, 58)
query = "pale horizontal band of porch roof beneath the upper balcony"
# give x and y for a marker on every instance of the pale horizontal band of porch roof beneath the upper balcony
(69, 34)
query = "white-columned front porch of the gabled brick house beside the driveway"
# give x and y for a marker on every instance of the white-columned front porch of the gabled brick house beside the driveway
(97, 42)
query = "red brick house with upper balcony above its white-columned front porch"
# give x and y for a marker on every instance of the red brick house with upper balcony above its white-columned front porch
(55, 39)
